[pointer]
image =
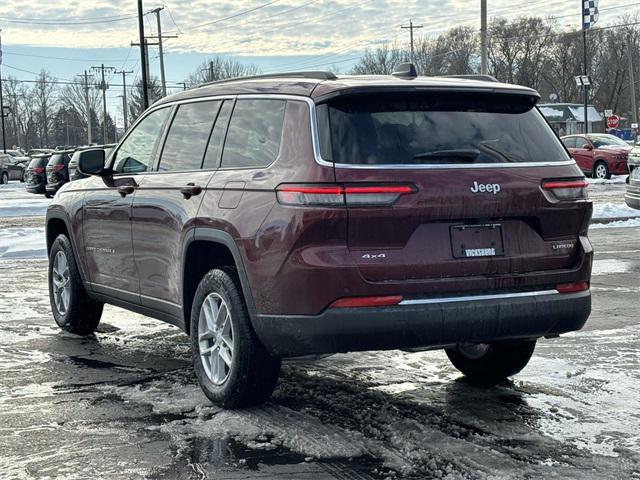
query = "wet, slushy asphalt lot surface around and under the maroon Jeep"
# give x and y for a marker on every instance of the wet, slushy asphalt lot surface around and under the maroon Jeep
(124, 403)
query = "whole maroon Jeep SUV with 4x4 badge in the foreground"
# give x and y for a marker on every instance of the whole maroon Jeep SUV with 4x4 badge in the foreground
(308, 214)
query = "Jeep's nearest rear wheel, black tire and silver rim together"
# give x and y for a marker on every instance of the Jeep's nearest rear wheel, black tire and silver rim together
(231, 365)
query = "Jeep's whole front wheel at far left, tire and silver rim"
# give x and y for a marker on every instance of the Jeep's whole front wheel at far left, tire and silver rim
(72, 308)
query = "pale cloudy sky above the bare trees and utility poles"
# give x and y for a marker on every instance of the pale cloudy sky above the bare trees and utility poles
(66, 37)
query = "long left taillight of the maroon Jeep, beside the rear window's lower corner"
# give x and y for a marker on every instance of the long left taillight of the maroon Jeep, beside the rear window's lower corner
(331, 195)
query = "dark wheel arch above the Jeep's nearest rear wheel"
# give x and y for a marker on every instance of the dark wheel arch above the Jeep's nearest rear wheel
(205, 249)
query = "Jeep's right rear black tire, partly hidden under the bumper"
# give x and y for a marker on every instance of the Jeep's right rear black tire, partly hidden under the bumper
(496, 363)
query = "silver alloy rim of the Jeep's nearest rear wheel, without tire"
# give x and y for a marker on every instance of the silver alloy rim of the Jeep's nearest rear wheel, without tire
(215, 338)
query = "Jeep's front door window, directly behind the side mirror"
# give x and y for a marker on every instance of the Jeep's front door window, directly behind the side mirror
(136, 152)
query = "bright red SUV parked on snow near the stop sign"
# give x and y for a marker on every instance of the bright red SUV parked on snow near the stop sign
(599, 155)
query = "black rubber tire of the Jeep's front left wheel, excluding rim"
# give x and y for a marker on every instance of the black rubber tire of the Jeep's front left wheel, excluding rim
(82, 314)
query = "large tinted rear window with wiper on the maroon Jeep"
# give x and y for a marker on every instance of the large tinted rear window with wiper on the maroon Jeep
(387, 129)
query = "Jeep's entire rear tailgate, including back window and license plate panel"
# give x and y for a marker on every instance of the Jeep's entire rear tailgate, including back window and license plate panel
(478, 164)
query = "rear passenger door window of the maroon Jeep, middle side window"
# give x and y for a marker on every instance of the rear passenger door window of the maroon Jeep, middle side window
(188, 136)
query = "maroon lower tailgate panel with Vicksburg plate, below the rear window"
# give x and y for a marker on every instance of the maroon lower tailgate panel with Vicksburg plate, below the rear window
(445, 230)
